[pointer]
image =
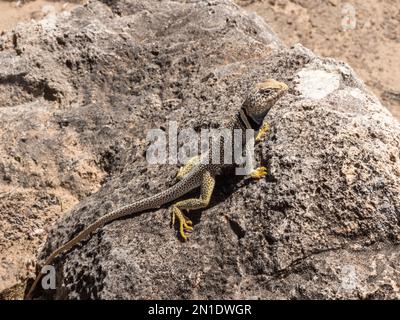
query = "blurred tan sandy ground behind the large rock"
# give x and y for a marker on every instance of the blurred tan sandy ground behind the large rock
(363, 33)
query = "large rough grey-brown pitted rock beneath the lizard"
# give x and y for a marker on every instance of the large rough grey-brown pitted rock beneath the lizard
(79, 95)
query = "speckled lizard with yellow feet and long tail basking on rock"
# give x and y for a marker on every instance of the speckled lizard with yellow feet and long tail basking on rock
(195, 174)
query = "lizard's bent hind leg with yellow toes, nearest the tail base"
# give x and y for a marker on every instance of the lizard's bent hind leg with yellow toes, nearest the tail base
(206, 190)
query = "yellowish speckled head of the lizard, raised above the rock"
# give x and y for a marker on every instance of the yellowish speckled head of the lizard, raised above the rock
(262, 98)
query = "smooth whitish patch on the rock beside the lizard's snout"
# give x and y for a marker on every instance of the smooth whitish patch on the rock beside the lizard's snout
(317, 84)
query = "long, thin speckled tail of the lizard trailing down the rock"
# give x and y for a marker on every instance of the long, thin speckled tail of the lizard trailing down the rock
(152, 202)
